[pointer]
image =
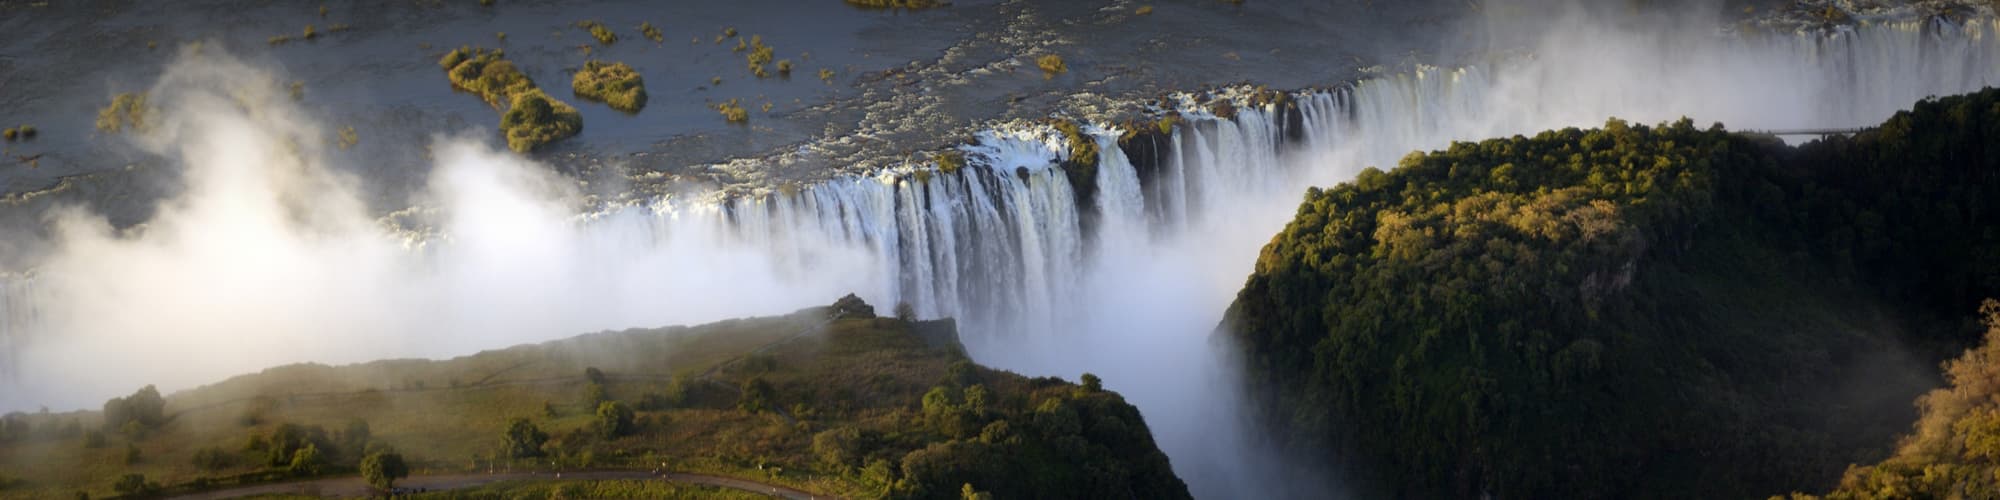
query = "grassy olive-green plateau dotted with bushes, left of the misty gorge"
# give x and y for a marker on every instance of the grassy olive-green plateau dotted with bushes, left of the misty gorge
(829, 401)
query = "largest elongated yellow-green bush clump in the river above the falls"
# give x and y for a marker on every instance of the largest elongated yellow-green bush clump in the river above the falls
(531, 119)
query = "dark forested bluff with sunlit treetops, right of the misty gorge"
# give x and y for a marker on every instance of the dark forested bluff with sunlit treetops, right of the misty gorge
(1659, 313)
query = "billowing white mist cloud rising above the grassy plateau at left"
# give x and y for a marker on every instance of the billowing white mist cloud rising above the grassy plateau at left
(269, 257)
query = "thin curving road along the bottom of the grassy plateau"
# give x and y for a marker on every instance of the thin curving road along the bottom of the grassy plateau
(357, 487)
